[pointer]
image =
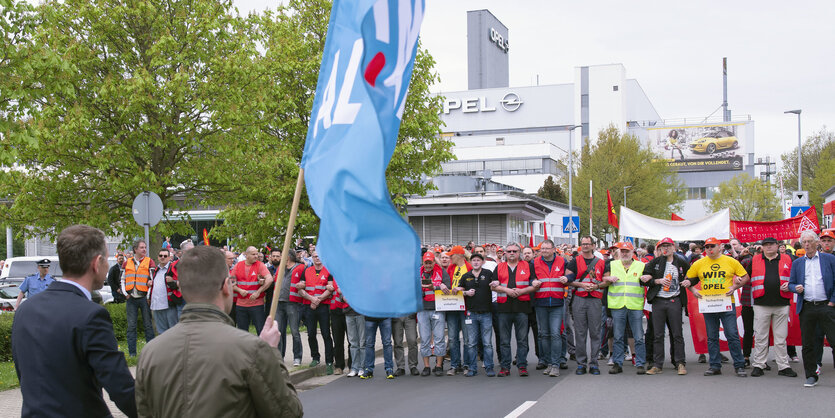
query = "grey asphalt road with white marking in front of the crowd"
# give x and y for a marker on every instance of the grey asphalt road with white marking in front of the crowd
(627, 394)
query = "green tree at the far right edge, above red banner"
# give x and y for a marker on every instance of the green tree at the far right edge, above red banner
(818, 166)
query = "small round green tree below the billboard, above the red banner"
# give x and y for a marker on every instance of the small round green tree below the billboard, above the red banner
(747, 198)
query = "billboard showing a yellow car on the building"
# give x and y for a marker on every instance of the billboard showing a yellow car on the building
(709, 147)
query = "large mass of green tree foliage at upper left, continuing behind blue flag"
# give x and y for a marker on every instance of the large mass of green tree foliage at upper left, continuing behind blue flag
(185, 99)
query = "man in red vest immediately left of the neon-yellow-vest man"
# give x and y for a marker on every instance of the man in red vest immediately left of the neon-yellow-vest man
(585, 274)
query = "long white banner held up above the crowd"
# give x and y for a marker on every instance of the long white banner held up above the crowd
(634, 224)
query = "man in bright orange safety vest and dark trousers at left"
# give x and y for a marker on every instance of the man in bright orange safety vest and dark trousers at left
(136, 281)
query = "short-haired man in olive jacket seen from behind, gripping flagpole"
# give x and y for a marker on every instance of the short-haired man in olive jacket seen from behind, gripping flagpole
(204, 366)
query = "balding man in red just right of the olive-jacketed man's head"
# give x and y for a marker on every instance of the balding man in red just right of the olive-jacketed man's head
(251, 280)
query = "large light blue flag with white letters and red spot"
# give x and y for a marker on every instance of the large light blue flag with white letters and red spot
(373, 253)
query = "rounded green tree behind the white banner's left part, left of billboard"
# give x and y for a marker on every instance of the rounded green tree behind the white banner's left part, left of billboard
(618, 160)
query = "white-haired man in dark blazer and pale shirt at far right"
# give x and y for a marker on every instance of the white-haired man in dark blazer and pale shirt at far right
(813, 279)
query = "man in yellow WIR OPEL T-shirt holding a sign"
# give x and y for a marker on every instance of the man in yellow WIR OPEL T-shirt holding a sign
(718, 271)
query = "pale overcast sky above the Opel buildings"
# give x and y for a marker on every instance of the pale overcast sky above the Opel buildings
(781, 54)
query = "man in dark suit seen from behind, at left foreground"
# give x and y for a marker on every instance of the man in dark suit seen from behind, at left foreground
(63, 344)
